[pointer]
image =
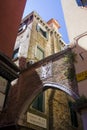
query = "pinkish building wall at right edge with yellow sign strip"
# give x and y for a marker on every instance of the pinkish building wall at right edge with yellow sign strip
(80, 49)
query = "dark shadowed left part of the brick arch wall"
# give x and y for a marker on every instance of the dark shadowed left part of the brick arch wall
(19, 93)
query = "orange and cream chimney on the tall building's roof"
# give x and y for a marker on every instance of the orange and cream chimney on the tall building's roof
(53, 24)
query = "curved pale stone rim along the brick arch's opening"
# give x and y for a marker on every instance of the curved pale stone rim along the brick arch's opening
(46, 86)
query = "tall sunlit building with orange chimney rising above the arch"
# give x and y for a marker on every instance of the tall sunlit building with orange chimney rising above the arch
(37, 39)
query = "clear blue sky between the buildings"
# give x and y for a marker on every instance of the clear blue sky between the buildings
(48, 9)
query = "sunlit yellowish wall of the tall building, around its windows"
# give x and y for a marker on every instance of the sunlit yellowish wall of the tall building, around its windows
(49, 45)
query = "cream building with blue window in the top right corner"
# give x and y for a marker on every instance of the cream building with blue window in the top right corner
(75, 12)
